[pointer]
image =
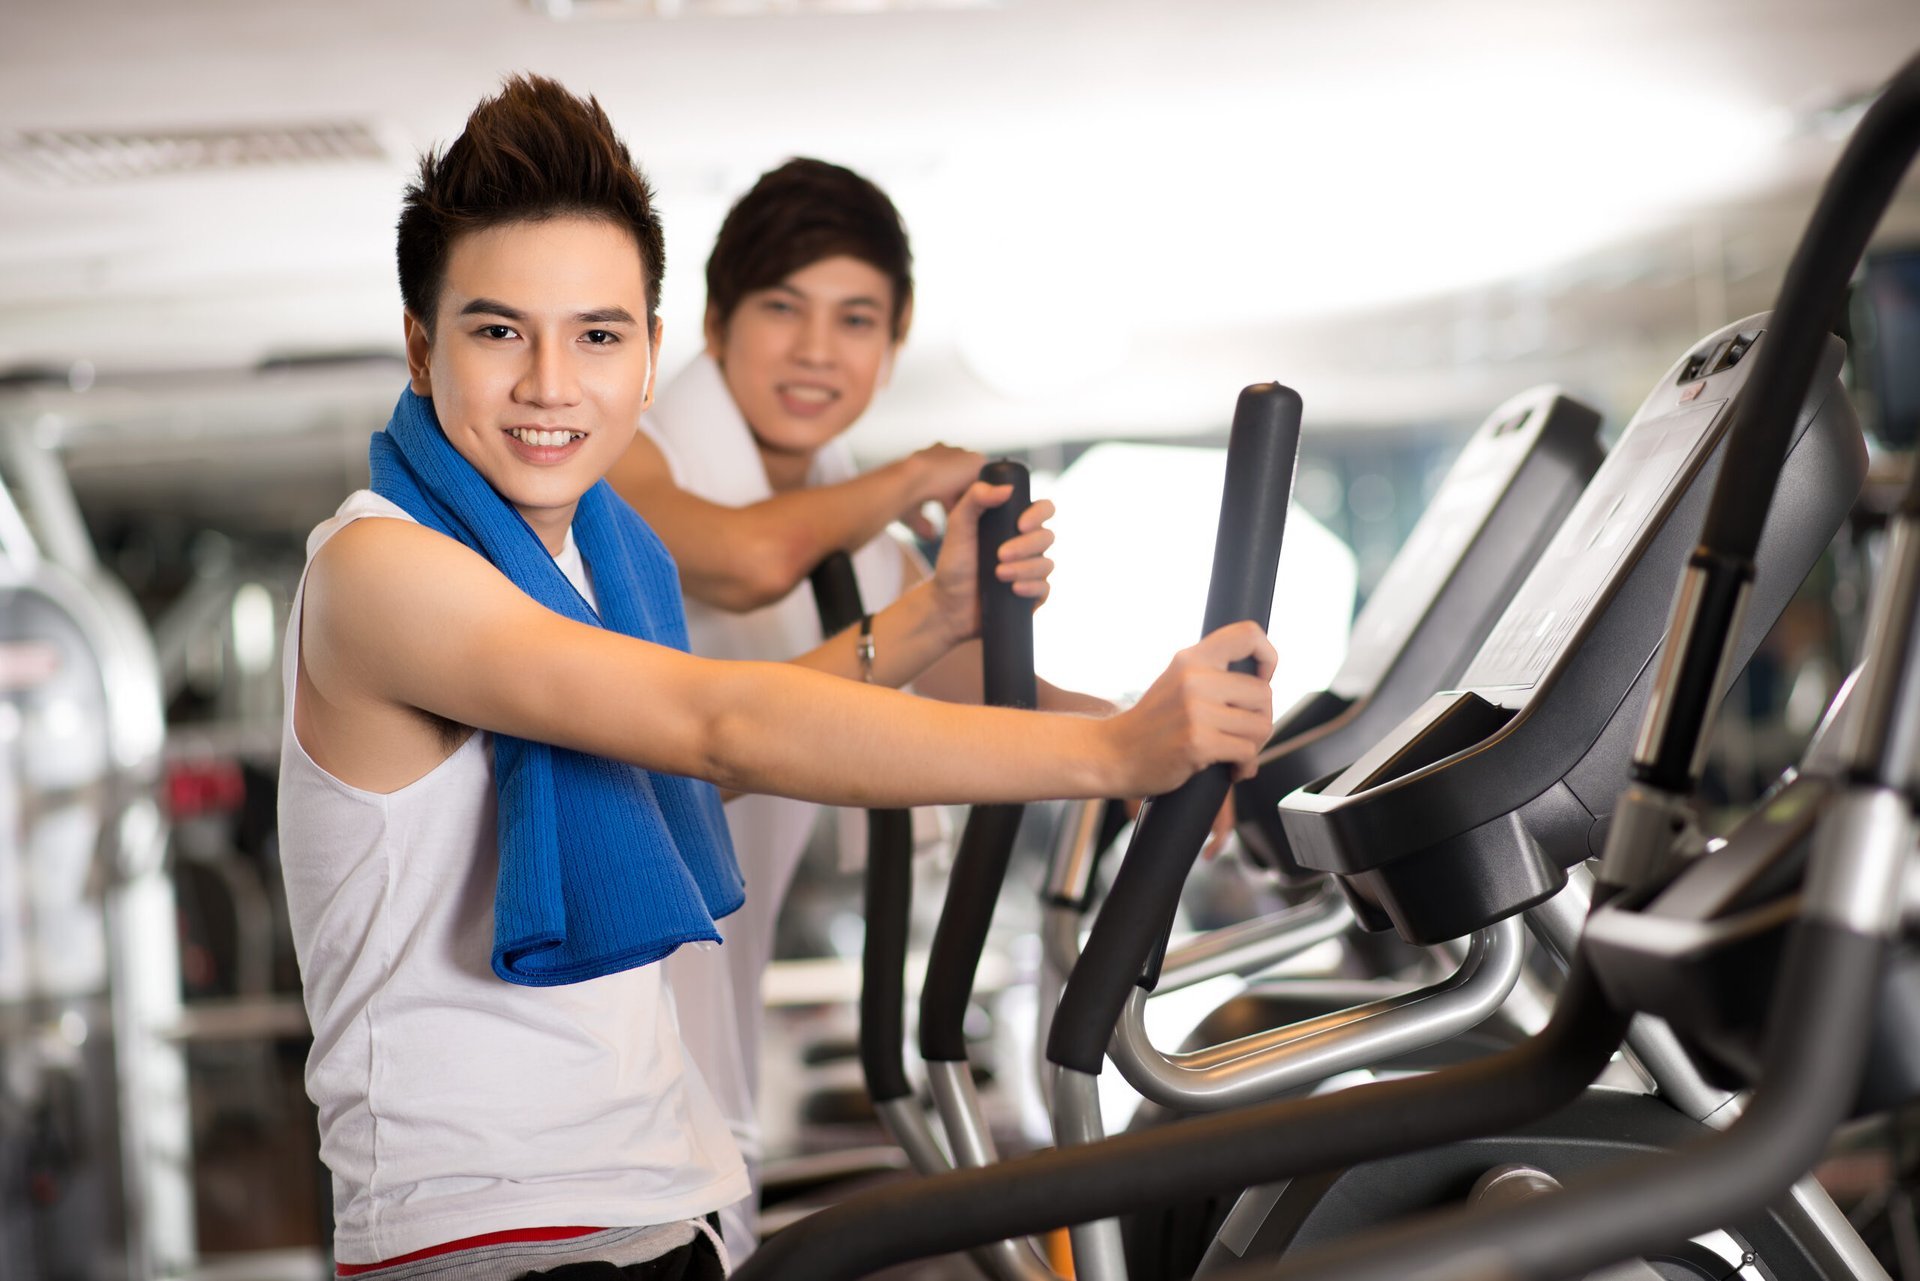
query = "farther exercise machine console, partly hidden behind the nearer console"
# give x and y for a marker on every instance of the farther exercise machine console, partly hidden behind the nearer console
(1489, 521)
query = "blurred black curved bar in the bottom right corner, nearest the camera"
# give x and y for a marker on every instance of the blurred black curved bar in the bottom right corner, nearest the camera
(1819, 1028)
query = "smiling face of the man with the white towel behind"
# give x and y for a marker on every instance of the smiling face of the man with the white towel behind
(805, 358)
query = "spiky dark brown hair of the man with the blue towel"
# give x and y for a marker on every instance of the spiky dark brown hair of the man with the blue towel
(531, 153)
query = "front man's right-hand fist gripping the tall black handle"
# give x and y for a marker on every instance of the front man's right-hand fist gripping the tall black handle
(1199, 713)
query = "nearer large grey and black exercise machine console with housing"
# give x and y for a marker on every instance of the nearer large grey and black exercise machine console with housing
(1449, 827)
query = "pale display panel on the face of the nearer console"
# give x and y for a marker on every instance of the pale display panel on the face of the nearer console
(1616, 516)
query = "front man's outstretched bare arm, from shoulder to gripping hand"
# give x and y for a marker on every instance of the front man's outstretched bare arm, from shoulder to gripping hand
(398, 619)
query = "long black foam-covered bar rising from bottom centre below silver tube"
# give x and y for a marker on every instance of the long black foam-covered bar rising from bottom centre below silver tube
(1224, 1153)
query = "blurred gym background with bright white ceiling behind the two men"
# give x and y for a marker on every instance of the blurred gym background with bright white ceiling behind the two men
(1122, 212)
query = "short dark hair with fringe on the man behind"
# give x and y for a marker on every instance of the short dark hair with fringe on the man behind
(800, 214)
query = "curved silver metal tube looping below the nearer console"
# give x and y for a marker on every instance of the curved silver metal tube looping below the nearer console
(1257, 1069)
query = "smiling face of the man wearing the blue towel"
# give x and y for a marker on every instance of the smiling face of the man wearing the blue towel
(540, 360)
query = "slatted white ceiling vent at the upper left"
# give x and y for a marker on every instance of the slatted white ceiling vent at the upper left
(99, 157)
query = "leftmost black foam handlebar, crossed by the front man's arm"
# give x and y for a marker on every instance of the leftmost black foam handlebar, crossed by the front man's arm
(890, 882)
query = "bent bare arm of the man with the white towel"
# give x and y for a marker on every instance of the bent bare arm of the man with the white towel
(744, 558)
